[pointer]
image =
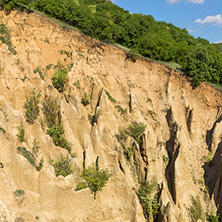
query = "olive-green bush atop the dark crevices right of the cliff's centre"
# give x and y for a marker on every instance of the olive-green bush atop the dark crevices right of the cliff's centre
(135, 130)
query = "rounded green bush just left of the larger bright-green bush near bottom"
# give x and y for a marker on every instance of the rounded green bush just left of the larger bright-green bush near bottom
(62, 166)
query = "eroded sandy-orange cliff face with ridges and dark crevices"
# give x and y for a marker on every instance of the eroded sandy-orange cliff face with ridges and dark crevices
(183, 128)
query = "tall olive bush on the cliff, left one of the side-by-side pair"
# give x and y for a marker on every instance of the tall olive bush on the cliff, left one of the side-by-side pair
(32, 106)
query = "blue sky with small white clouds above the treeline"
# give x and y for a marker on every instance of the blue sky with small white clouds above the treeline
(202, 18)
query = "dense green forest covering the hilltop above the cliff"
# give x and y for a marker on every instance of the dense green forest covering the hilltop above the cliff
(103, 20)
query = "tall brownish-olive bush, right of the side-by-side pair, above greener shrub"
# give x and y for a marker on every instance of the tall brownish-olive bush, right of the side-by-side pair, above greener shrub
(50, 111)
